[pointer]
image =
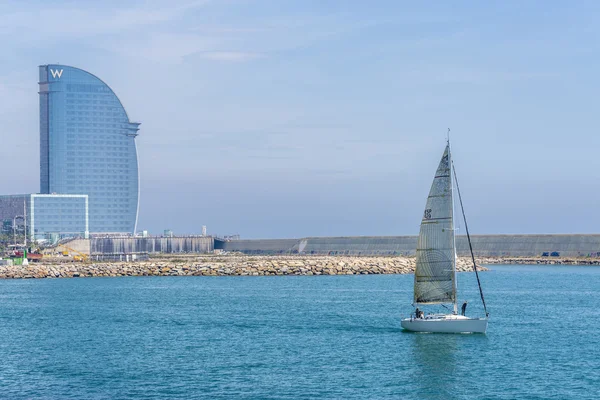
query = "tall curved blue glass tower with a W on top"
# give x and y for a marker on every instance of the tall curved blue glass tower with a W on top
(87, 145)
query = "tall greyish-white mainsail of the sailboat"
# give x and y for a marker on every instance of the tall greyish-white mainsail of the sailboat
(434, 274)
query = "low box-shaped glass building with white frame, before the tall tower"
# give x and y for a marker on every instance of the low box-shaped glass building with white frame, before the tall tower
(45, 215)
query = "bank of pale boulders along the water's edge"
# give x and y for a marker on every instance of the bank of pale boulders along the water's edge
(257, 265)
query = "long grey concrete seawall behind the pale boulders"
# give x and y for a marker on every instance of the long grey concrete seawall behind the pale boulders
(483, 245)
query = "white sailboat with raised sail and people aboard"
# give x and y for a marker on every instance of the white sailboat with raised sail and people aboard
(435, 272)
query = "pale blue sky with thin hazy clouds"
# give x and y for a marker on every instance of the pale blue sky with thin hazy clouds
(288, 119)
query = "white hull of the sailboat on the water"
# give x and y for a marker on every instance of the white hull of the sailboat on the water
(445, 324)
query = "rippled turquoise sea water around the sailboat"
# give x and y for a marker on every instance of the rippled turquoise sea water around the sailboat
(297, 337)
